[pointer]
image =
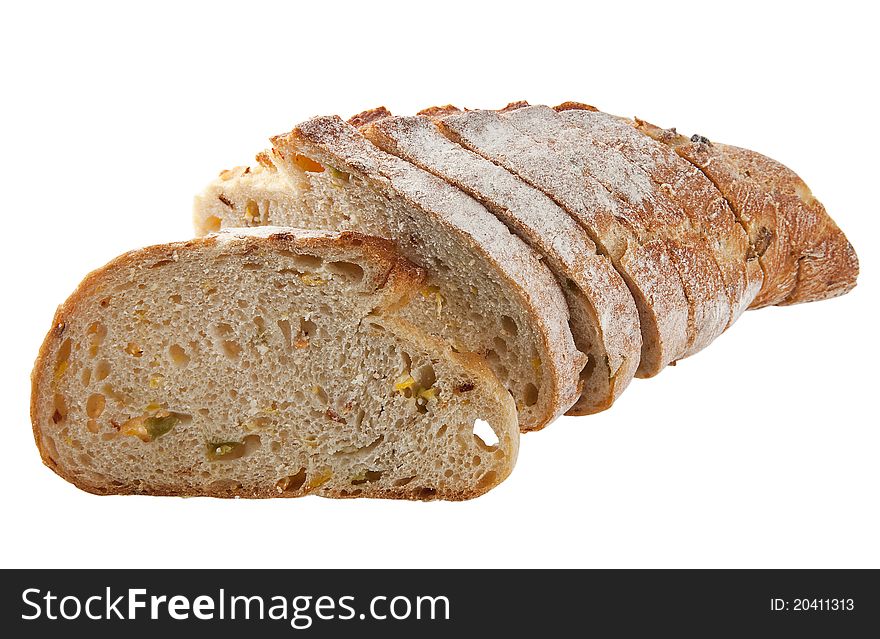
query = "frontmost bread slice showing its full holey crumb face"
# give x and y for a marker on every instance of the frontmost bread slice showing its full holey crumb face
(264, 363)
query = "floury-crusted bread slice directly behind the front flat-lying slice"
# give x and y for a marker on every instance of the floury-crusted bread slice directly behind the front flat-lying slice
(486, 290)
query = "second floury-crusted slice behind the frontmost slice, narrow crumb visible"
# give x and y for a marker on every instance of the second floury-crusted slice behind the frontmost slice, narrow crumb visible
(604, 318)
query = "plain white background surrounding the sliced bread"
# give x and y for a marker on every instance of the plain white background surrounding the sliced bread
(761, 451)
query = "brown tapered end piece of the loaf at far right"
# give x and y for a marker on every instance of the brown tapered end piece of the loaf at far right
(803, 254)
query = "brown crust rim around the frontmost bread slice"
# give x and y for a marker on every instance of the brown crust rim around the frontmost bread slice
(396, 277)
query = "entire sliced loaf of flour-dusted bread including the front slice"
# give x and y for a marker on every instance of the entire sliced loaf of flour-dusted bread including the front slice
(378, 307)
